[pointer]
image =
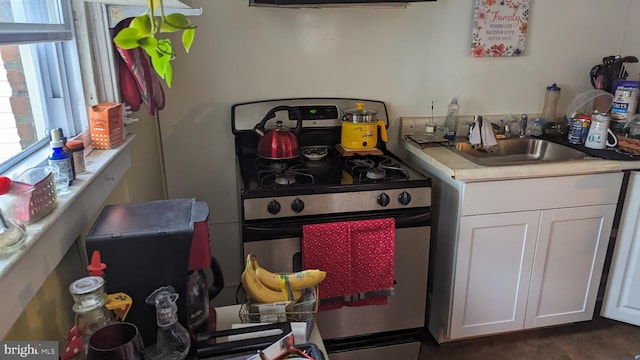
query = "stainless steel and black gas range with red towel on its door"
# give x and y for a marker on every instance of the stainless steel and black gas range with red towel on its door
(279, 197)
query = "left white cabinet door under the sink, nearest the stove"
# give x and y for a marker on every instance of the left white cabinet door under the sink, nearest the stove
(493, 269)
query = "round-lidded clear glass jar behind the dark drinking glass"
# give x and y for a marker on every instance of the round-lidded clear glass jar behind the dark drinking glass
(89, 305)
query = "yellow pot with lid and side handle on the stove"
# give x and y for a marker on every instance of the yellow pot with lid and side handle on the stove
(360, 129)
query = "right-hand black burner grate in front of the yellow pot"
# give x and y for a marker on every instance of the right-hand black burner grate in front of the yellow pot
(375, 168)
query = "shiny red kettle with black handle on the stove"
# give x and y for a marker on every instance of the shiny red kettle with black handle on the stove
(279, 143)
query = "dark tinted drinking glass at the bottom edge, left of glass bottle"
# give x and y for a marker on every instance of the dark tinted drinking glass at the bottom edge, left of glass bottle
(118, 341)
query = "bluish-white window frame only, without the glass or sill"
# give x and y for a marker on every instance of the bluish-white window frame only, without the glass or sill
(50, 56)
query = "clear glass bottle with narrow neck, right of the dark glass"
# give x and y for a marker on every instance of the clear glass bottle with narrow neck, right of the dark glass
(174, 340)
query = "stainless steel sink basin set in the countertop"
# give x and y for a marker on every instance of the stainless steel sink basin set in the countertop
(519, 152)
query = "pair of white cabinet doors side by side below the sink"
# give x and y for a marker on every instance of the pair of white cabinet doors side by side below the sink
(528, 269)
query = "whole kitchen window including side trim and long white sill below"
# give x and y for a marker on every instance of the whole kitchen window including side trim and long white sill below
(45, 66)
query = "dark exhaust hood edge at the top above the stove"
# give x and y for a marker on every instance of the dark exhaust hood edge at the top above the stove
(333, 3)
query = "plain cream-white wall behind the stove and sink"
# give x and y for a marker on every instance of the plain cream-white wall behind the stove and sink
(405, 57)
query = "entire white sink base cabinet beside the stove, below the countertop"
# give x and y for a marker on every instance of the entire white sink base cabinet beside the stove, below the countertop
(517, 254)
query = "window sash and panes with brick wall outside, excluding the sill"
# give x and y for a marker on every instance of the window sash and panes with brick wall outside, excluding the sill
(40, 82)
